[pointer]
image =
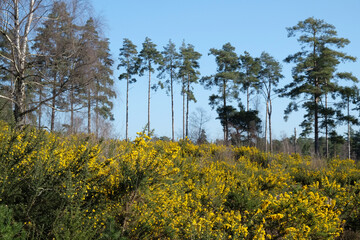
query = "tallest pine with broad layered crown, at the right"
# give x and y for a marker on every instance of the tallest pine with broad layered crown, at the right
(309, 75)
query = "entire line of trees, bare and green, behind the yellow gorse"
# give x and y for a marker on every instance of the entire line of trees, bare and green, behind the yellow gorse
(52, 62)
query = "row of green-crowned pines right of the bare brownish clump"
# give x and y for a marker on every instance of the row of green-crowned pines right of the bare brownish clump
(316, 80)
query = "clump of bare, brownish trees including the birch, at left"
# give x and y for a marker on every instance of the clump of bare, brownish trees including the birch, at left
(50, 59)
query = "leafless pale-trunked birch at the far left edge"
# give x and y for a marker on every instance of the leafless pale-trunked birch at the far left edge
(18, 19)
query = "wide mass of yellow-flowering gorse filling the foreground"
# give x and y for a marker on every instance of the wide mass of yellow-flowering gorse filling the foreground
(56, 187)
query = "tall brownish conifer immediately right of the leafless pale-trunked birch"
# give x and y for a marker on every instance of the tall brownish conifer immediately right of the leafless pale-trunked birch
(53, 44)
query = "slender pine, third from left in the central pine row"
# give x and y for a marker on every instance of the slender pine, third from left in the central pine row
(169, 68)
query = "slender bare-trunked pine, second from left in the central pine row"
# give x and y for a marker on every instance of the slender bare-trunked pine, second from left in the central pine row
(148, 57)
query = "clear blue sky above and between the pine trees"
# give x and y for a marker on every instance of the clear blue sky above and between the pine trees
(253, 26)
